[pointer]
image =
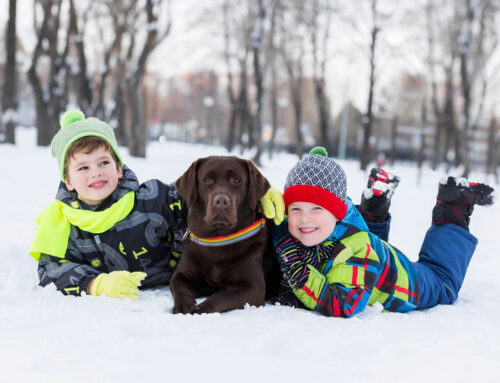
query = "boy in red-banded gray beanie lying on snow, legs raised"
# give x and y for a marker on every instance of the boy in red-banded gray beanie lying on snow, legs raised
(334, 265)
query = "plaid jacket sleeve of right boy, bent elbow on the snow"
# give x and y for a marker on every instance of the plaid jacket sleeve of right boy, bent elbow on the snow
(347, 285)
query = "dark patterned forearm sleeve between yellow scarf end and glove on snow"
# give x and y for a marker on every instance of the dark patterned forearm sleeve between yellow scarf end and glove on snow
(68, 275)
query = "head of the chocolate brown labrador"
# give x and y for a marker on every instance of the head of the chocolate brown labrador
(220, 189)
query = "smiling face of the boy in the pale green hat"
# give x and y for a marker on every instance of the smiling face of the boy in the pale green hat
(93, 175)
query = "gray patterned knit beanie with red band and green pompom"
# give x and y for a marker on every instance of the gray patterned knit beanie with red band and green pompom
(320, 180)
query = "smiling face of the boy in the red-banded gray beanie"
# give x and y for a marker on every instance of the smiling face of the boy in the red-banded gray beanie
(309, 223)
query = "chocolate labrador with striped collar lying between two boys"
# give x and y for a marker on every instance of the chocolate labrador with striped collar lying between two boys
(228, 250)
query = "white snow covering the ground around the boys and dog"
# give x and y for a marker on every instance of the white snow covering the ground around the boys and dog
(47, 337)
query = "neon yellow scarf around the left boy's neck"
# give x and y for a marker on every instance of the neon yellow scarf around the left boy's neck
(54, 224)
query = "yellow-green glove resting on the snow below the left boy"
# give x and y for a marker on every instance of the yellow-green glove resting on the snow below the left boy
(117, 284)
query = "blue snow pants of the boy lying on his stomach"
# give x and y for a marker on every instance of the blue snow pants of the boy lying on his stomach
(442, 263)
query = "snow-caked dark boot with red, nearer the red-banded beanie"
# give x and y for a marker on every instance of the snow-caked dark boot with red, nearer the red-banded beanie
(376, 197)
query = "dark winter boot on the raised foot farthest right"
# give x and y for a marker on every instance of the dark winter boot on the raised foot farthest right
(456, 199)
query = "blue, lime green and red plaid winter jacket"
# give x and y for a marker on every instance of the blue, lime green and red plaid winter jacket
(363, 270)
